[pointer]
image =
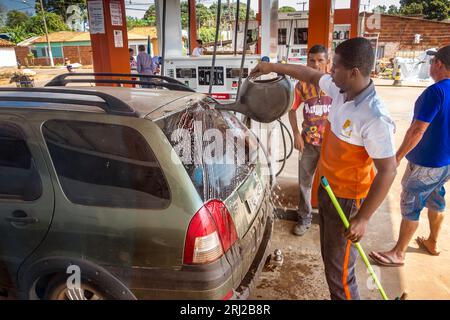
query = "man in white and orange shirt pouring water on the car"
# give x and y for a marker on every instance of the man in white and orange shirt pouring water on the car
(359, 137)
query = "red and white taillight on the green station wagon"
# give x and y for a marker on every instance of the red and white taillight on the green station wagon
(210, 234)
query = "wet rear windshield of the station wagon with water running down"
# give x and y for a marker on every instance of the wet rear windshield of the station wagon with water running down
(217, 150)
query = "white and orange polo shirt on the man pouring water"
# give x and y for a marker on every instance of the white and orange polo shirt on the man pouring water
(357, 131)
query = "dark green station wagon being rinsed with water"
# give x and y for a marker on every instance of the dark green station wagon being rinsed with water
(93, 185)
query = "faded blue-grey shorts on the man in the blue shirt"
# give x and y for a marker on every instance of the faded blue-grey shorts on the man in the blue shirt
(423, 187)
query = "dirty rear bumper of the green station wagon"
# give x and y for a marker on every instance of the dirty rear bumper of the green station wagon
(235, 271)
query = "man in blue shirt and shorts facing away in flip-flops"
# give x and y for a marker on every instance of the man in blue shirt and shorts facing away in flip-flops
(427, 148)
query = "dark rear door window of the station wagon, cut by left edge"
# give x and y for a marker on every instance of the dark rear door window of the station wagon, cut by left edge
(19, 177)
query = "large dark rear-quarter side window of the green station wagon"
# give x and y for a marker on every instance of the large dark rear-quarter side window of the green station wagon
(105, 165)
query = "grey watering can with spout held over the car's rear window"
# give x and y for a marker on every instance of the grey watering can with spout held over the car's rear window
(263, 100)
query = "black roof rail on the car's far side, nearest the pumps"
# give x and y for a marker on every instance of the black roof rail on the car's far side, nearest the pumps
(165, 82)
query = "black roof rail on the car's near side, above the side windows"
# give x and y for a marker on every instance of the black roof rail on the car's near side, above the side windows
(110, 104)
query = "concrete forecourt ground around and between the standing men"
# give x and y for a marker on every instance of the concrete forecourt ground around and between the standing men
(301, 275)
